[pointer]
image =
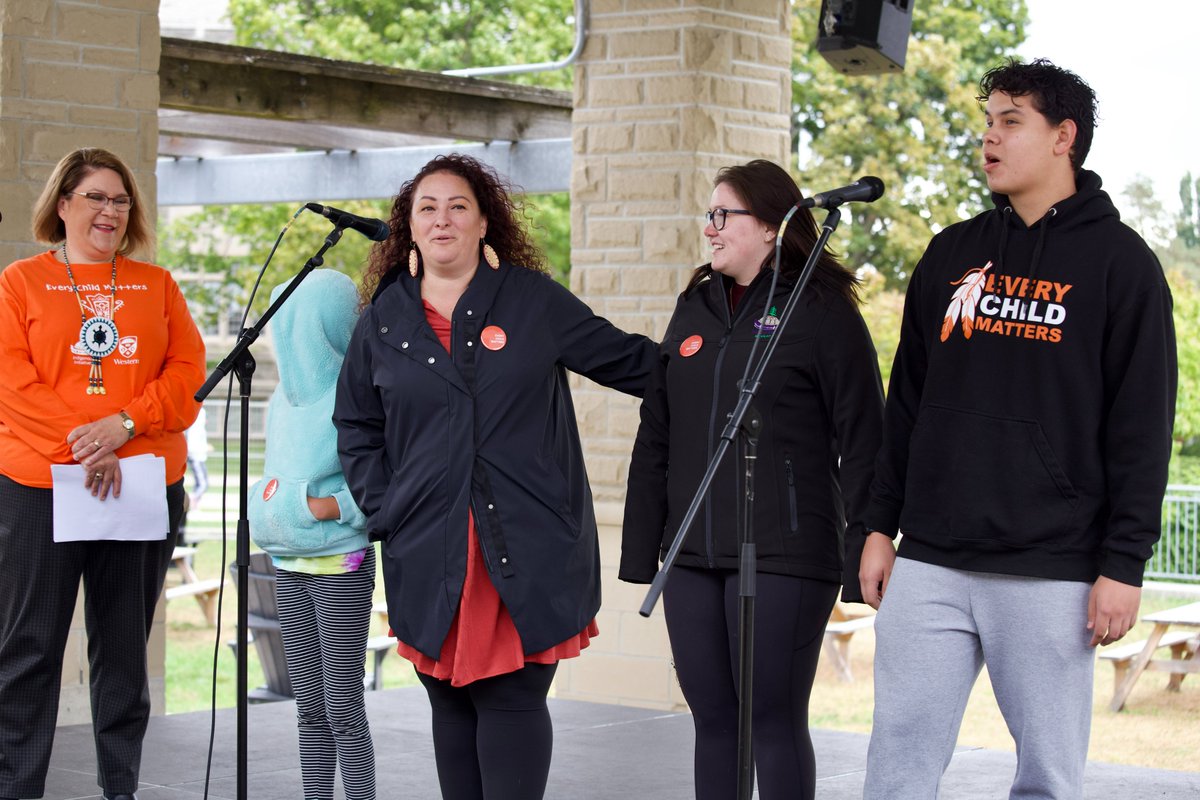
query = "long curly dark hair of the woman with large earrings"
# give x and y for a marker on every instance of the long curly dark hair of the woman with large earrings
(506, 222)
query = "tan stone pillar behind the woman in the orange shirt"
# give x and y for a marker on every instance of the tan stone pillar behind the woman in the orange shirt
(81, 74)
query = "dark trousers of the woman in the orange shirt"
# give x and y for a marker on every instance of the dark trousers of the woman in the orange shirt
(39, 588)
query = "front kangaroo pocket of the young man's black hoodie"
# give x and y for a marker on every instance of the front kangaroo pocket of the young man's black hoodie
(986, 479)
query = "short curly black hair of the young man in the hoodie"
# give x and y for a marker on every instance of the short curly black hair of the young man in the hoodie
(1057, 94)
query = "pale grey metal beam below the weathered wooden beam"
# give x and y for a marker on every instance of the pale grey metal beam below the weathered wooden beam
(537, 167)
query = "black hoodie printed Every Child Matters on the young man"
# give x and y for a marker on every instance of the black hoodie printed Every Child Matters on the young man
(1029, 419)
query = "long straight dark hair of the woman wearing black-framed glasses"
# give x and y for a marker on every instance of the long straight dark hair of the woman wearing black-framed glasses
(769, 194)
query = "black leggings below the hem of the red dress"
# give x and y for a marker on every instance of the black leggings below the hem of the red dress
(493, 739)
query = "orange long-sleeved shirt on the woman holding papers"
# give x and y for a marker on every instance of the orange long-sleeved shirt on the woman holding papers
(152, 375)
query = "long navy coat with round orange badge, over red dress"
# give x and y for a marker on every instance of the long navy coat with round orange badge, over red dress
(424, 435)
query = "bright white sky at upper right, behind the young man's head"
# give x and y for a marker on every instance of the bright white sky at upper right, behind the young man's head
(1136, 57)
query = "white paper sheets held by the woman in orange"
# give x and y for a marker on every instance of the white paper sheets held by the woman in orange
(139, 515)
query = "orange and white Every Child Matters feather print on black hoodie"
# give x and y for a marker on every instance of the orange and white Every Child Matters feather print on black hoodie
(1006, 305)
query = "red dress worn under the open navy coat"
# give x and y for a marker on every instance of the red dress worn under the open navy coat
(483, 641)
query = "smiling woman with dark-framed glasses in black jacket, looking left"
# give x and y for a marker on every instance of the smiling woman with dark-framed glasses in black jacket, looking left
(821, 404)
